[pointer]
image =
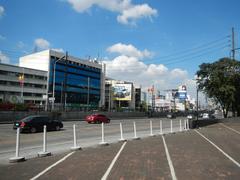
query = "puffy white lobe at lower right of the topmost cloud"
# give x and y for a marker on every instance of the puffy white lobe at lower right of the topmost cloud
(129, 16)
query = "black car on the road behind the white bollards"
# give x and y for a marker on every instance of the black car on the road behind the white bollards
(35, 123)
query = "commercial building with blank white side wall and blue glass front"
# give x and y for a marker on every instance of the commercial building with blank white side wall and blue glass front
(71, 81)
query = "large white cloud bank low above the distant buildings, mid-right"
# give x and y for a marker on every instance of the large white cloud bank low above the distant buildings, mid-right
(132, 69)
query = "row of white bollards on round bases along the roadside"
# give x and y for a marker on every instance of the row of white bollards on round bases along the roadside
(44, 153)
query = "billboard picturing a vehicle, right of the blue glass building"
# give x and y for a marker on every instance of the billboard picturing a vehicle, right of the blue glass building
(122, 92)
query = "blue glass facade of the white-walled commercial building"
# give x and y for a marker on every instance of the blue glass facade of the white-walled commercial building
(75, 82)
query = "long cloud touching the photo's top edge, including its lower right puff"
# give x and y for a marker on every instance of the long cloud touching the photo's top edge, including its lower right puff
(129, 12)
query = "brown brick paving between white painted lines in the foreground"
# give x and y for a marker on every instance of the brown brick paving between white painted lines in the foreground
(192, 156)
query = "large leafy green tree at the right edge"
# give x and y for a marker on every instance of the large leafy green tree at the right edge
(220, 81)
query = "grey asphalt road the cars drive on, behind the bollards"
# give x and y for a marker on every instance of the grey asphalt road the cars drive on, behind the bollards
(87, 135)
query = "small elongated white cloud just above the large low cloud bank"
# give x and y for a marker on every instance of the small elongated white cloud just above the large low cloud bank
(129, 50)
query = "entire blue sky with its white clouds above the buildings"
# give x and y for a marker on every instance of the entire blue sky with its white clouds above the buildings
(159, 42)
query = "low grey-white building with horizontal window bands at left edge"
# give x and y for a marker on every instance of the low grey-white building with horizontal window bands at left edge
(19, 84)
